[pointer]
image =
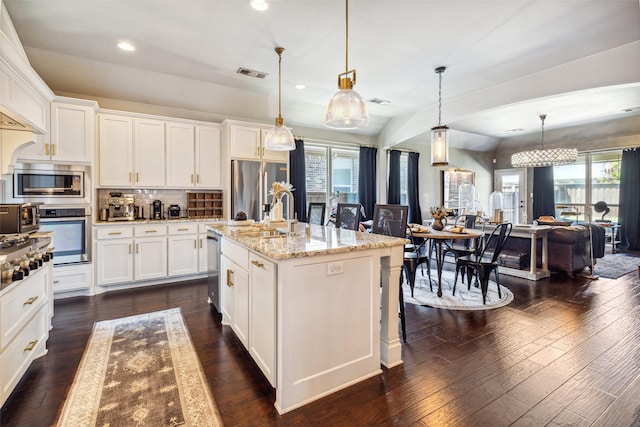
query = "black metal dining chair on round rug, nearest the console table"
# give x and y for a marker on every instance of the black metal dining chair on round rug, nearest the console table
(485, 261)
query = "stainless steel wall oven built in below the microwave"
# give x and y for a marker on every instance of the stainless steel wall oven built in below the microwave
(72, 232)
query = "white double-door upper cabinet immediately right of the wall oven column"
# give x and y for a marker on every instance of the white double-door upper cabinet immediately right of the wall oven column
(131, 151)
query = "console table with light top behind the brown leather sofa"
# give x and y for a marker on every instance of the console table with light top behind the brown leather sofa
(532, 232)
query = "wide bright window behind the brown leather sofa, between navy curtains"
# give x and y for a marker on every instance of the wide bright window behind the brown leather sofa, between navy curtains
(593, 178)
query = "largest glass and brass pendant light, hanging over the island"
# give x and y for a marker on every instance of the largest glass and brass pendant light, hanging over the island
(347, 109)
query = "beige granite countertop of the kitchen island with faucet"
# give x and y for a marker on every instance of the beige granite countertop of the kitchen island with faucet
(323, 241)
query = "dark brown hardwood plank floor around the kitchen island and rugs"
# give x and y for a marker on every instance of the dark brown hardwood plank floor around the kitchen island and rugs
(566, 351)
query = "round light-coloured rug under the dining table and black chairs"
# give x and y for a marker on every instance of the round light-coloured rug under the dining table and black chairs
(463, 299)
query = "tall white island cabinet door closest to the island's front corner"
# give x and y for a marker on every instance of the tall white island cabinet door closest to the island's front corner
(262, 317)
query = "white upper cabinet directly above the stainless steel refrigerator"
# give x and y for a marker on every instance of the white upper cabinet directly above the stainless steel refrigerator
(246, 141)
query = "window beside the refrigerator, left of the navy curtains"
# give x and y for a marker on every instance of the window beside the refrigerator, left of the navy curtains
(332, 173)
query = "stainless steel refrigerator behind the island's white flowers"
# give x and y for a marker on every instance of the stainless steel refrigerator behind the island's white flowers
(250, 185)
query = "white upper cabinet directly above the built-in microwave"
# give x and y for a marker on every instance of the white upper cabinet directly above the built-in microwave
(72, 135)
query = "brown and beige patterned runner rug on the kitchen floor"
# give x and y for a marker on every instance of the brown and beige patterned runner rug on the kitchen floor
(140, 370)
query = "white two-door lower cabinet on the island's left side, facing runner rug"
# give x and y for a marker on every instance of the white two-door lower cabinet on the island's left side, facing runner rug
(249, 303)
